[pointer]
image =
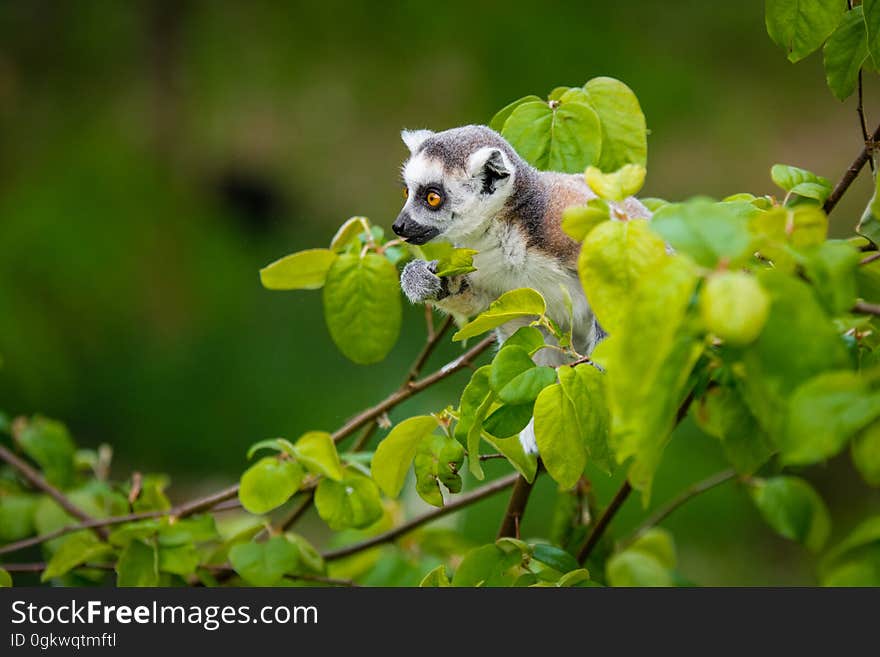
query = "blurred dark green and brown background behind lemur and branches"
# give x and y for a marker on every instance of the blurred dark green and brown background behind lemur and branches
(154, 155)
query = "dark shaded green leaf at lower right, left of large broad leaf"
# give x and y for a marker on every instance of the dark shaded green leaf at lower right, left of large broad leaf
(722, 413)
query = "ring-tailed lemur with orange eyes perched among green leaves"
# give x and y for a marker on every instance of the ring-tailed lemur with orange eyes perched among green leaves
(468, 186)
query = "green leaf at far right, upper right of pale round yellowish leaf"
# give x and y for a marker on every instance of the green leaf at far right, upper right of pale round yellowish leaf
(831, 267)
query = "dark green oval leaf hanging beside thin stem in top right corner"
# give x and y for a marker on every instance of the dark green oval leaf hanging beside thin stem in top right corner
(845, 52)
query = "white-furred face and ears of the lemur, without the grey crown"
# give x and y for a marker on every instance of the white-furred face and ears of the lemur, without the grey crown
(454, 204)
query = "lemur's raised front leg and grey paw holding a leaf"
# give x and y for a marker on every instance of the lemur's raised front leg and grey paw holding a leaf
(452, 294)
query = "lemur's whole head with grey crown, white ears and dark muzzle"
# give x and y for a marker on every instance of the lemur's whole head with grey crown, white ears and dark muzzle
(456, 182)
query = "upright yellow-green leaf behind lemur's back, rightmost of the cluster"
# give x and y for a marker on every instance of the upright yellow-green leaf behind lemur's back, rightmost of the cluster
(624, 133)
